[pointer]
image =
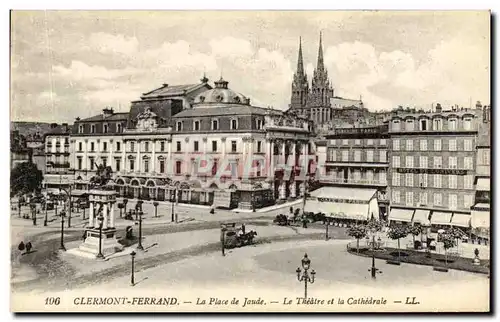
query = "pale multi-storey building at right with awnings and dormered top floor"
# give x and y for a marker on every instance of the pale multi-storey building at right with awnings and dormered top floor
(432, 166)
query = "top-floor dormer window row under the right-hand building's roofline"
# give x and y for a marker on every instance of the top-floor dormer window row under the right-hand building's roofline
(438, 124)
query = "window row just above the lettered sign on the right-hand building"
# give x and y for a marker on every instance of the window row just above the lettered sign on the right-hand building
(467, 164)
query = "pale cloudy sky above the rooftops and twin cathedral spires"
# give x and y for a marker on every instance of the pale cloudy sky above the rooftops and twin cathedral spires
(68, 64)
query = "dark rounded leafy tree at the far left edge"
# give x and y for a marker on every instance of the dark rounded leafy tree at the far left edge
(25, 178)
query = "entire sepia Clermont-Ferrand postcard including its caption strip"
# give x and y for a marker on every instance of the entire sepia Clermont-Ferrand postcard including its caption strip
(250, 161)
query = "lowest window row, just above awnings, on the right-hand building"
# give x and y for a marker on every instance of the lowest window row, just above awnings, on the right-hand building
(437, 199)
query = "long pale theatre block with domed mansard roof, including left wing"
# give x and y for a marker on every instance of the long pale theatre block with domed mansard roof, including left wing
(201, 145)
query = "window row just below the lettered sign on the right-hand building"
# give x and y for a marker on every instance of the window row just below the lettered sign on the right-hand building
(421, 180)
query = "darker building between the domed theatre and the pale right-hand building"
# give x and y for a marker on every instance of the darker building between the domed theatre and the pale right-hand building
(356, 160)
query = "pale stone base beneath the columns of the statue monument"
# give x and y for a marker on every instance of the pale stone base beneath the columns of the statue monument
(109, 244)
